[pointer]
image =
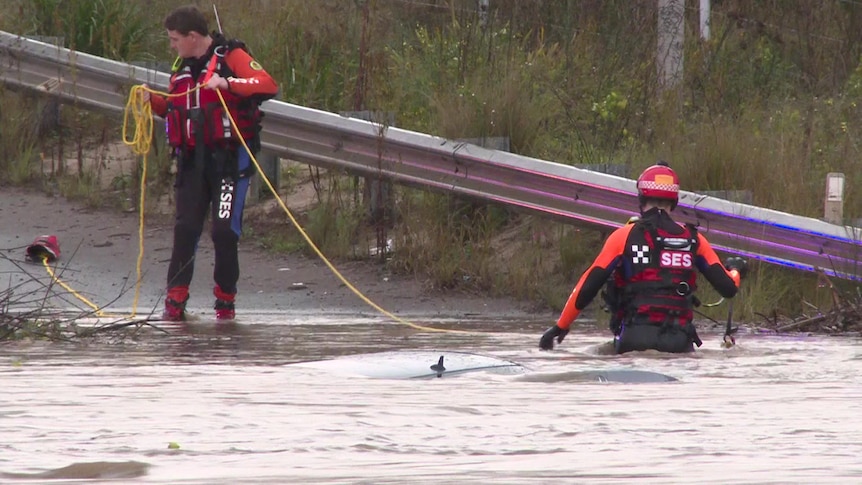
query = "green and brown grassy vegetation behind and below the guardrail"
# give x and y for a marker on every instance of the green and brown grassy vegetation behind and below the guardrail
(767, 104)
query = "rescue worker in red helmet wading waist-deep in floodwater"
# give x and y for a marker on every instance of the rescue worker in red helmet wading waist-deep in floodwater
(652, 263)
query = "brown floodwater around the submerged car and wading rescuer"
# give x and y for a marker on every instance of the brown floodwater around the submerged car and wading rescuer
(200, 404)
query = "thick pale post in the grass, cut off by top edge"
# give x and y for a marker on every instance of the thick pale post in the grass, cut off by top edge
(671, 35)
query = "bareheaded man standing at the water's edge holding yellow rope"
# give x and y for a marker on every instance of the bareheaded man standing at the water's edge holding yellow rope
(213, 167)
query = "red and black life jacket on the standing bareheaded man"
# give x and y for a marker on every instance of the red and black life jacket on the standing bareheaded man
(198, 116)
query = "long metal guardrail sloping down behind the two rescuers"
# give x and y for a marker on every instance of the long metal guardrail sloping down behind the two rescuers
(361, 147)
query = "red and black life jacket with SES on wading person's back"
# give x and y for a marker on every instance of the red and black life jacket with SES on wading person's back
(659, 276)
